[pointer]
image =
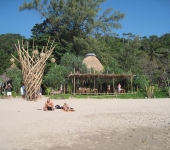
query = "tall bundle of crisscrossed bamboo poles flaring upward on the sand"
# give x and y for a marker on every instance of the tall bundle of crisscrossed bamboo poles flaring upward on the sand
(33, 65)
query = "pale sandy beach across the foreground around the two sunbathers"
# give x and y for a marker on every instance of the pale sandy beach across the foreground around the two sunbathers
(115, 124)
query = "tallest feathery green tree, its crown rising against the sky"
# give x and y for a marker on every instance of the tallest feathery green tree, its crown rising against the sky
(75, 18)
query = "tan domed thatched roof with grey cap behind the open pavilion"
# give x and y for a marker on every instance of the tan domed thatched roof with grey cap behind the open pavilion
(92, 62)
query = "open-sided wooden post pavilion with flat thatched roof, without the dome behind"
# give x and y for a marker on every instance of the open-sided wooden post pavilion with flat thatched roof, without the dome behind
(110, 77)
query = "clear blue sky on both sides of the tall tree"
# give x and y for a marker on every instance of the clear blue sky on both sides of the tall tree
(142, 17)
